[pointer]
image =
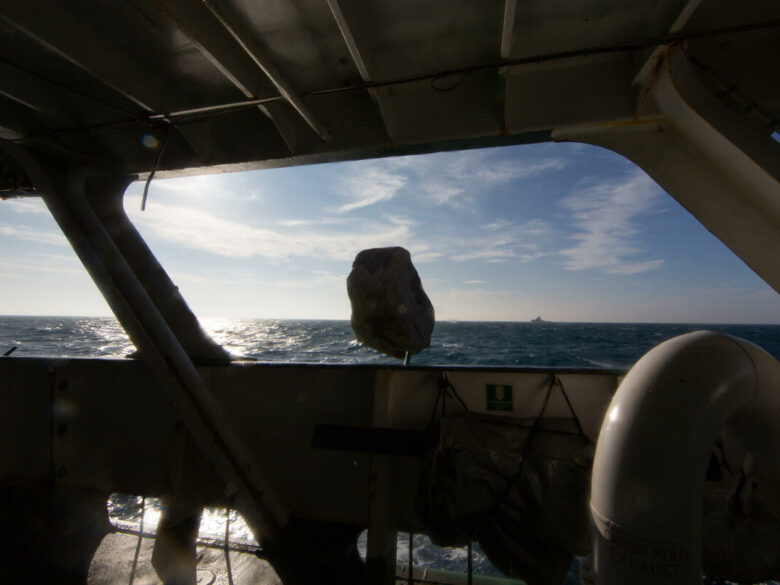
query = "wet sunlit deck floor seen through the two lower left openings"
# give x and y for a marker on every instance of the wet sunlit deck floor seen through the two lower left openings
(113, 565)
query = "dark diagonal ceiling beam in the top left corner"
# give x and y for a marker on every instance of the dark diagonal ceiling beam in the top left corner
(71, 39)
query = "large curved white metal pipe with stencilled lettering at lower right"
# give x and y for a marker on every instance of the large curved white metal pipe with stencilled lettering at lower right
(653, 449)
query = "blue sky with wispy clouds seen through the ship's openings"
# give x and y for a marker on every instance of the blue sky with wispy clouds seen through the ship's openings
(566, 231)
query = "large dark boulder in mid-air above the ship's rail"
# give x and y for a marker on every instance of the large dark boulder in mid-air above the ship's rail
(390, 310)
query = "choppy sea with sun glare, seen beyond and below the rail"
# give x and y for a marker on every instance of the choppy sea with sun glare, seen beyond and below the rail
(589, 345)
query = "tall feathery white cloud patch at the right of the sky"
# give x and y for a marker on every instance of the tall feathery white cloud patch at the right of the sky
(605, 217)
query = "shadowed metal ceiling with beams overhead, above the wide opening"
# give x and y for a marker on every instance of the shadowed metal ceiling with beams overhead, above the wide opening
(232, 84)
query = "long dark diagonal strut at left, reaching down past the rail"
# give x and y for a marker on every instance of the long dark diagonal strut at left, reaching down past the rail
(66, 192)
